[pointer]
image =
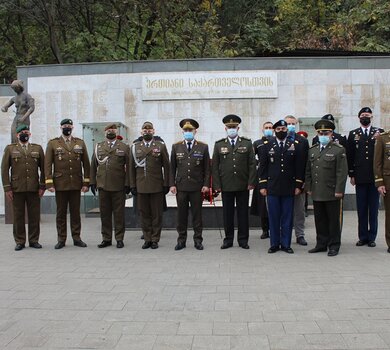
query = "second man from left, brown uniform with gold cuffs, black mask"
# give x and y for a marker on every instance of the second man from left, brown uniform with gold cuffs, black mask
(67, 173)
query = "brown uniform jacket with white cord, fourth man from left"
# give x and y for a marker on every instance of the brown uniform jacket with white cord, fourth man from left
(150, 178)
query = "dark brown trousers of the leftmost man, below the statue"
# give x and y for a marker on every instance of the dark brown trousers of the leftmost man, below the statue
(32, 202)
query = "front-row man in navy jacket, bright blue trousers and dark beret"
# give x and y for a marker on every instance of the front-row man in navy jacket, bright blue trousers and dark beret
(281, 177)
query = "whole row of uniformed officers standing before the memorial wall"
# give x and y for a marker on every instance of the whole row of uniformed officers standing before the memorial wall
(280, 167)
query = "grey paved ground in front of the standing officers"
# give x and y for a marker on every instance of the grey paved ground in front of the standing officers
(161, 299)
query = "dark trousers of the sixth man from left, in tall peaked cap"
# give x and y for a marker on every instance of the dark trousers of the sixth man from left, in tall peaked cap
(228, 199)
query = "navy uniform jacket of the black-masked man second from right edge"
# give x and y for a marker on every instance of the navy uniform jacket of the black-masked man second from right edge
(360, 154)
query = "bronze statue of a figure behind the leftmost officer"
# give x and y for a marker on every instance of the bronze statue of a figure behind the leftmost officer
(24, 104)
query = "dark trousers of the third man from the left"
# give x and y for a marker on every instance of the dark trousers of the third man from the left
(112, 203)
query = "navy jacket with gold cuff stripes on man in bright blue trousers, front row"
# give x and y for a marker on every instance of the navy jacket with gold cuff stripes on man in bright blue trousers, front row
(281, 170)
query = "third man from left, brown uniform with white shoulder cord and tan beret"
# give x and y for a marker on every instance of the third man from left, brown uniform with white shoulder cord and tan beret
(109, 167)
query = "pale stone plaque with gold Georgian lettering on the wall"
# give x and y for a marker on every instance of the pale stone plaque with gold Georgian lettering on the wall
(210, 85)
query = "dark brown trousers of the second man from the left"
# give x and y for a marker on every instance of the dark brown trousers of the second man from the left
(63, 198)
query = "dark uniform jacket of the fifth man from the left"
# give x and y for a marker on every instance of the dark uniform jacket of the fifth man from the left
(190, 171)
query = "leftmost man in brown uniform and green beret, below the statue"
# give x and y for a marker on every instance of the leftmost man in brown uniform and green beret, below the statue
(24, 185)
